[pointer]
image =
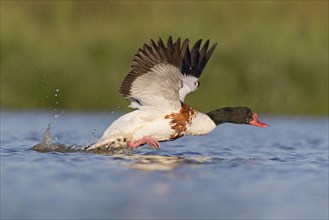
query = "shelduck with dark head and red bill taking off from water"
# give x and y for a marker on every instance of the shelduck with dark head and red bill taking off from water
(160, 78)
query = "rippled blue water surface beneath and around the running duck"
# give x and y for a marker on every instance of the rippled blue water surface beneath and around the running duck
(236, 172)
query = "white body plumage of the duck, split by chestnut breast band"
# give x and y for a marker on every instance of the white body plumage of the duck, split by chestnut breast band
(140, 123)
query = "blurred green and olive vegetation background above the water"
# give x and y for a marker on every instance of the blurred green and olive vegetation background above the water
(271, 56)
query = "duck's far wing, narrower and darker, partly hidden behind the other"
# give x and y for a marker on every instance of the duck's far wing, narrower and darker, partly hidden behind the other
(193, 65)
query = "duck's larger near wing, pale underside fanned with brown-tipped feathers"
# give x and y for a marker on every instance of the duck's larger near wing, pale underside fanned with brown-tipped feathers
(155, 78)
